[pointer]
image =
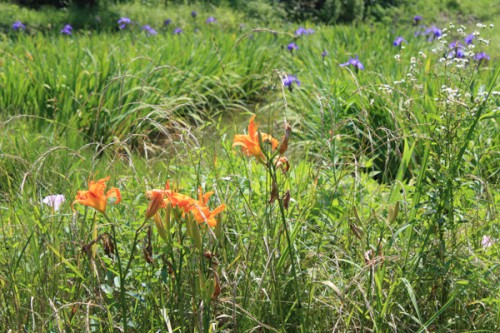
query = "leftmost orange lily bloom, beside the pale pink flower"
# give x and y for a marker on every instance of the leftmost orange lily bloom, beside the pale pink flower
(95, 196)
